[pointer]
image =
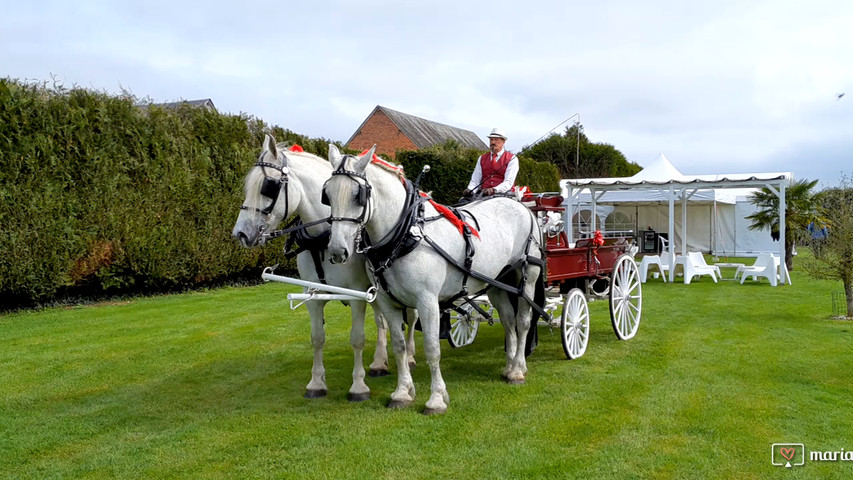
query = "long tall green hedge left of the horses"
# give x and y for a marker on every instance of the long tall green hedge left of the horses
(101, 195)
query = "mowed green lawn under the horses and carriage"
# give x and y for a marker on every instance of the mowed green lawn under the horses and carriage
(210, 384)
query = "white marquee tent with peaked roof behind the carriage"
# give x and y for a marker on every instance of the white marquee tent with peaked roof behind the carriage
(713, 207)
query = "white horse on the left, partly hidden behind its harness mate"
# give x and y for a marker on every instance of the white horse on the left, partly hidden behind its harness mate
(283, 183)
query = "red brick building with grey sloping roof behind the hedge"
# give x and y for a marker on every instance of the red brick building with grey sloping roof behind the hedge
(391, 130)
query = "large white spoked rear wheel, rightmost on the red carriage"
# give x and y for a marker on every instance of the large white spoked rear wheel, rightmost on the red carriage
(626, 298)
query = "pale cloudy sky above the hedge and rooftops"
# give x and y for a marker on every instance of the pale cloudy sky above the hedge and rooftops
(718, 87)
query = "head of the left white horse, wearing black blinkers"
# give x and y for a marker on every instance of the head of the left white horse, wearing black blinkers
(269, 197)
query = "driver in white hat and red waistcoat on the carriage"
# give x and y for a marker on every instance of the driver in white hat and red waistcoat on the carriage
(496, 170)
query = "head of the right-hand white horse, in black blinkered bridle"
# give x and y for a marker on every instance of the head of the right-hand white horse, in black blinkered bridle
(347, 192)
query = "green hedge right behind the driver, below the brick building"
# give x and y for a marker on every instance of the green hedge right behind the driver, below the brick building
(451, 166)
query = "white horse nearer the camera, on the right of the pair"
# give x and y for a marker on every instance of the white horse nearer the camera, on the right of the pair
(367, 197)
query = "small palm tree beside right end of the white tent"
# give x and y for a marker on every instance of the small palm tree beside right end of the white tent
(801, 208)
